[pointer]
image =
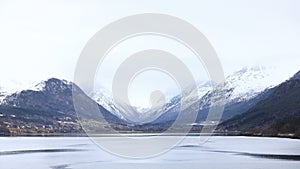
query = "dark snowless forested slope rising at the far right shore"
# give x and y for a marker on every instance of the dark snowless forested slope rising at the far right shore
(280, 108)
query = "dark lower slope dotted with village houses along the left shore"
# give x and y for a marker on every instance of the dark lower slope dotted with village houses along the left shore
(20, 121)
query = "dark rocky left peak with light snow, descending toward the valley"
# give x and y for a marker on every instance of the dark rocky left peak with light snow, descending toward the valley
(54, 95)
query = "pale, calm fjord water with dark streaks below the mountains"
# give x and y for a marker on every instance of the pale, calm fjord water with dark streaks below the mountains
(217, 152)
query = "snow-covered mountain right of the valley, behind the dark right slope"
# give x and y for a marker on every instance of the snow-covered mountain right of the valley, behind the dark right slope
(241, 90)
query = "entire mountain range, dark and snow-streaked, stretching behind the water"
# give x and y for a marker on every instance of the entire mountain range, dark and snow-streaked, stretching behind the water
(253, 104)
